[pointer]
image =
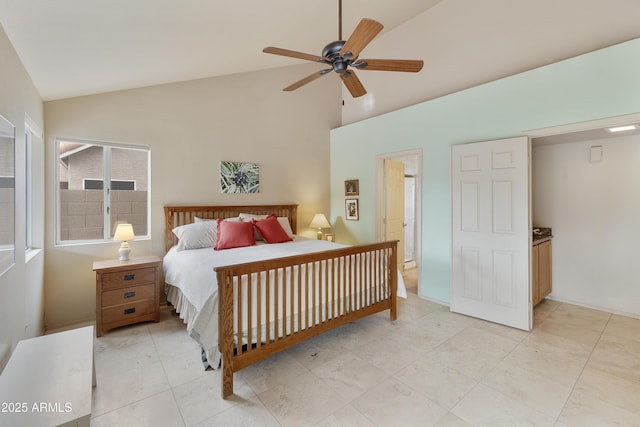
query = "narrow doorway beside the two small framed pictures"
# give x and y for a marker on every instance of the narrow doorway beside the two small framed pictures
(412, 161)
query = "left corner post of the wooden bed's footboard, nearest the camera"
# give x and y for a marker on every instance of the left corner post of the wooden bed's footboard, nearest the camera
(225, 331)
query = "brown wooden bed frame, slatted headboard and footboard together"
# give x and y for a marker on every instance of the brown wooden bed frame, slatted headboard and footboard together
(363, 281)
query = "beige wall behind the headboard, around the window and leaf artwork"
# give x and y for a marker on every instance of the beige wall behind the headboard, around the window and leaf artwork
(191, 127)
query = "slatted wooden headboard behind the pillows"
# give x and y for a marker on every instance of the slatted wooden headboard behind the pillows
(175, 216)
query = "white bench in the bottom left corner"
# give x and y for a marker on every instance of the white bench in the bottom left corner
(48, 381)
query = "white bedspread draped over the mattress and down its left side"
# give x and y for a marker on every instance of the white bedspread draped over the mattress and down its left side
(191, 273)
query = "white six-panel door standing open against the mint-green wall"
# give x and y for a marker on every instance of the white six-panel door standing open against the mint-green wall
(490, 207)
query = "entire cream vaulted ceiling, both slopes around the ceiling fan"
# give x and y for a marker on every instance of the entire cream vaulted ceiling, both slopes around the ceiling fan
(80, 47)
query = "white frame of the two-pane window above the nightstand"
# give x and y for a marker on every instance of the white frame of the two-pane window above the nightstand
(106, 210)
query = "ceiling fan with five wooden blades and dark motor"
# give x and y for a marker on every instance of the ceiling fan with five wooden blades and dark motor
(342, 55)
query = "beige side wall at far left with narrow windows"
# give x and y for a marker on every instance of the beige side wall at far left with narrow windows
(21, 287)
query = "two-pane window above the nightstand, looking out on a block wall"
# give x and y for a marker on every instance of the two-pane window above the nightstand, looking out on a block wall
(100, 185)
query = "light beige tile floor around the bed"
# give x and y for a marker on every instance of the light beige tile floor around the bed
(578, 367)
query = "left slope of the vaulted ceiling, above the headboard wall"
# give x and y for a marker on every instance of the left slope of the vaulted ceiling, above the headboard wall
(79, 47)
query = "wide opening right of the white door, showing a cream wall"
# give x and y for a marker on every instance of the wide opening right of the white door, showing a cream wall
(585, 183)
